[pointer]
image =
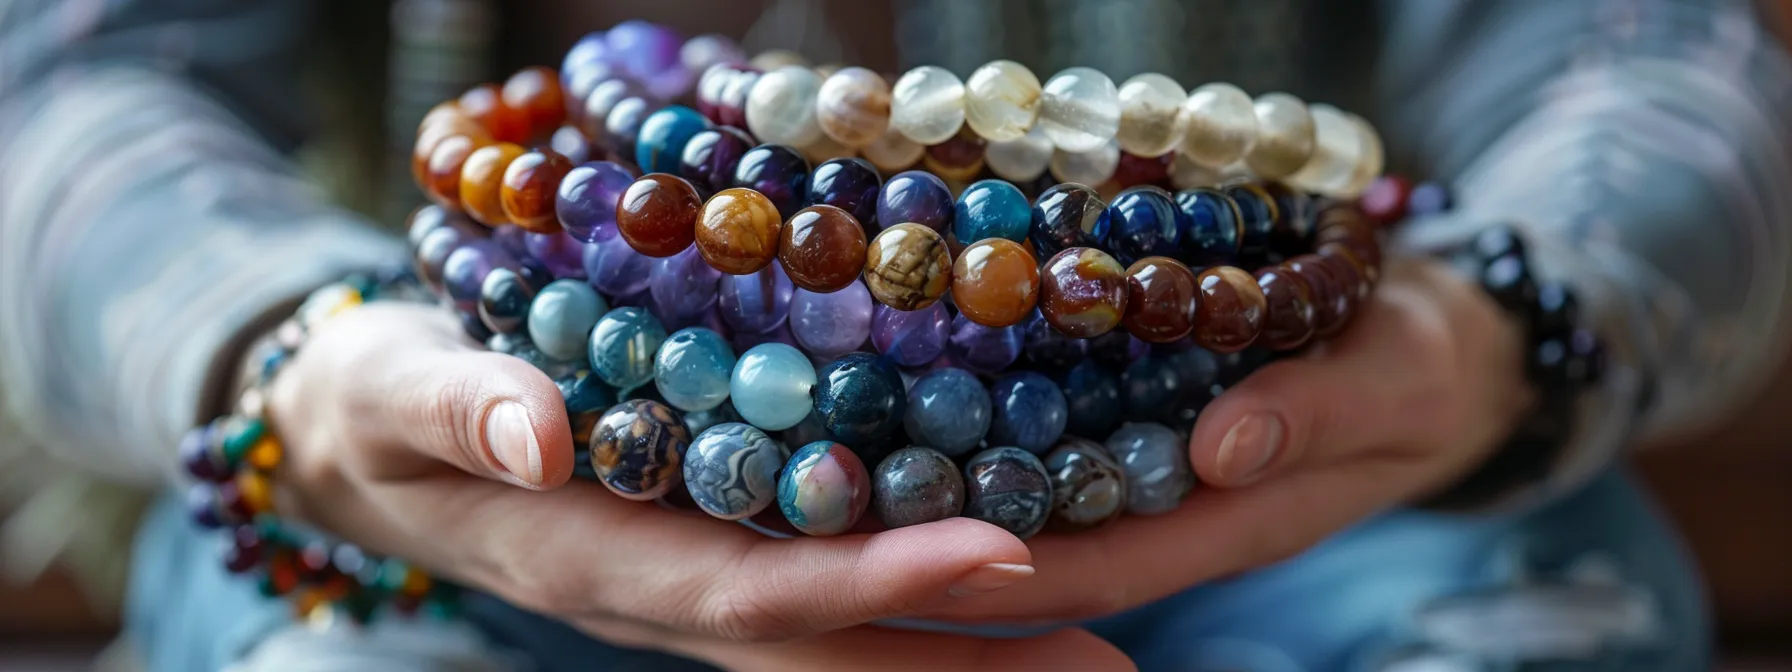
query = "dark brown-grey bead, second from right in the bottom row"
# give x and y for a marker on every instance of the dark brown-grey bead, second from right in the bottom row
(1089, 488)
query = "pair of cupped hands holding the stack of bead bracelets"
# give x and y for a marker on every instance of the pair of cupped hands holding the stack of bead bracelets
(409, 440)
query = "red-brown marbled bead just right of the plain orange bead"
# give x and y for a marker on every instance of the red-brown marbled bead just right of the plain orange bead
(1083, 293)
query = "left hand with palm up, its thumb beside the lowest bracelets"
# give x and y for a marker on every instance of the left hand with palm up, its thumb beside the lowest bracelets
(406, 438)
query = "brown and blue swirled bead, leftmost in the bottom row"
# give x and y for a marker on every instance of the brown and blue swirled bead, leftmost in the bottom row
(639, 447)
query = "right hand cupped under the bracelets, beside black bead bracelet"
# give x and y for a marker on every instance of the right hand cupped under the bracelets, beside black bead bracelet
(1420, 392)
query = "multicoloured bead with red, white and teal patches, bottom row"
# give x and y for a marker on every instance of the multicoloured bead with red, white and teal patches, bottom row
(823, 490)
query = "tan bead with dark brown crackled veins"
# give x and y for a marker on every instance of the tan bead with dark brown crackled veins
(908, 268)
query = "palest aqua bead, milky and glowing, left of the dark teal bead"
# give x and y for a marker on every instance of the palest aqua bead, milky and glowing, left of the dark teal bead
(771, 386)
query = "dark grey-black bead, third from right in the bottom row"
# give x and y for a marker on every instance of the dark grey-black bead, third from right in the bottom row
(1008, 488)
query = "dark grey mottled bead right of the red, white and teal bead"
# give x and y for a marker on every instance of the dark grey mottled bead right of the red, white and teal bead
(917, 487)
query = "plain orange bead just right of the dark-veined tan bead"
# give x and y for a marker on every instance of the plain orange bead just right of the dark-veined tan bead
(995, 282)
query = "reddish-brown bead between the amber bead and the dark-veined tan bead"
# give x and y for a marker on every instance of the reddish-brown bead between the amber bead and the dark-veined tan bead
(823, 248)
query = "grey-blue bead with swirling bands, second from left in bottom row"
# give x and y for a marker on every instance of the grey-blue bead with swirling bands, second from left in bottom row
(732, 470)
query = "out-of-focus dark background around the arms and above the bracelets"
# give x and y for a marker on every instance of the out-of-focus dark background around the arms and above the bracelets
(384, 64)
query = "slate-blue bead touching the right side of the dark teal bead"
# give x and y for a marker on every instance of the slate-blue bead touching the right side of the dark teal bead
(949, 411)
